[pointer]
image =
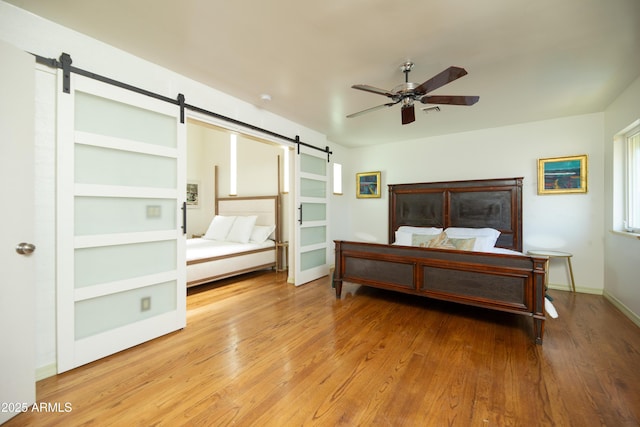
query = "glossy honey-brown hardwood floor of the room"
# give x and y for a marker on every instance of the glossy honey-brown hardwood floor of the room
(262, 352)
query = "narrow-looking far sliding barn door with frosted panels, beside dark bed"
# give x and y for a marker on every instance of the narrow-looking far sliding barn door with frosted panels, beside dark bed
(312, 228)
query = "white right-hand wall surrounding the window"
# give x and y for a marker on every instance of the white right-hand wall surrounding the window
(621, 253)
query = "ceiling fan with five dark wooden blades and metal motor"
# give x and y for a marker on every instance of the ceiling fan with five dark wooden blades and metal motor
(408, 93)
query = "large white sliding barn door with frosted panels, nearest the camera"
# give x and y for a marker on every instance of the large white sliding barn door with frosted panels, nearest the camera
(121, 256)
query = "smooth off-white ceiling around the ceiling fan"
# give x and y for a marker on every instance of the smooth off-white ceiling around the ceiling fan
(527, 60)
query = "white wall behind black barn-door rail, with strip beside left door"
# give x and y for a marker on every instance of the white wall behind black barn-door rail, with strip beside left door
(36, 35)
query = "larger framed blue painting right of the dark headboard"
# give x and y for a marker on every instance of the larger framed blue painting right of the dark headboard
(561, 175)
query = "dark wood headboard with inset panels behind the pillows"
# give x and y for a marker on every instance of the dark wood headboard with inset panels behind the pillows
(494, 203)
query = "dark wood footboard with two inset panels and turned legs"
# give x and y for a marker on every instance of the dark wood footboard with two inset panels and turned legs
(511, 283)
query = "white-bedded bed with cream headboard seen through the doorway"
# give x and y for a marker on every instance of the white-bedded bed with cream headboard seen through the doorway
(240, 239)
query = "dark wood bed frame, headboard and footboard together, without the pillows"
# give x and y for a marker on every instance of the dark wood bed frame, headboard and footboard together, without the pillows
(504, 282)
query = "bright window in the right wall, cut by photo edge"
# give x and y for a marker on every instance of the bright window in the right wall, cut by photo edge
(632, 180)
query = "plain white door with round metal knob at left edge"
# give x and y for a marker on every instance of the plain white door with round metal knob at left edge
(17, 284)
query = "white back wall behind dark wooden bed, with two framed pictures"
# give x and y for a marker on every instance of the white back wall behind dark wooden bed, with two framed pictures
(571, 222)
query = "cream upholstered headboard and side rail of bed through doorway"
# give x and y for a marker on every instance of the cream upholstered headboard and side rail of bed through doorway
(267, 208)
